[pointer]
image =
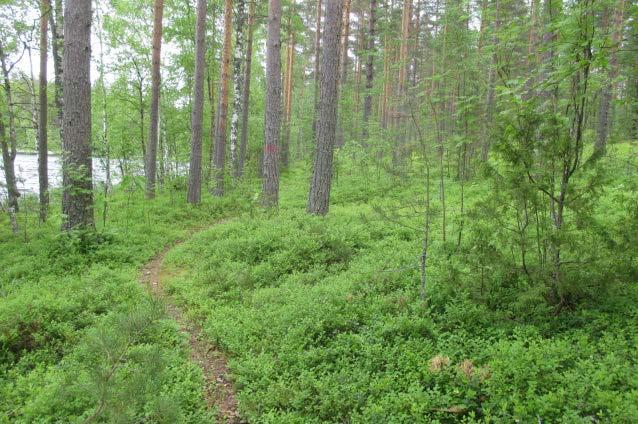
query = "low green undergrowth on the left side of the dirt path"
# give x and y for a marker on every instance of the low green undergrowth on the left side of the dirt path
(80, 340)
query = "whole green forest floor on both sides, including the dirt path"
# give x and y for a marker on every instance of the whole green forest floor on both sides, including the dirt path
(313, 319)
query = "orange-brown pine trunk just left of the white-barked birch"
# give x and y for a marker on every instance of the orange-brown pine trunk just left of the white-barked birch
(222, 111)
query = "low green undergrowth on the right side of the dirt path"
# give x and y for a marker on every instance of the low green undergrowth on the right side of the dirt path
(323, 322)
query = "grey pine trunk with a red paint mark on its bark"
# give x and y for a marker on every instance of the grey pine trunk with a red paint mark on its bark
(270, 186)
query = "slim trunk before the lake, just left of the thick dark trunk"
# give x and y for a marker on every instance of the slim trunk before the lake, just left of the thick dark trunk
(43, 173)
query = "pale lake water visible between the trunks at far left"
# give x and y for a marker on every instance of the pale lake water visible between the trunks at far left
(26, 166)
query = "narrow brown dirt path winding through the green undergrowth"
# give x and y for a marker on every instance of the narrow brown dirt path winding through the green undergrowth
(218, 389)
